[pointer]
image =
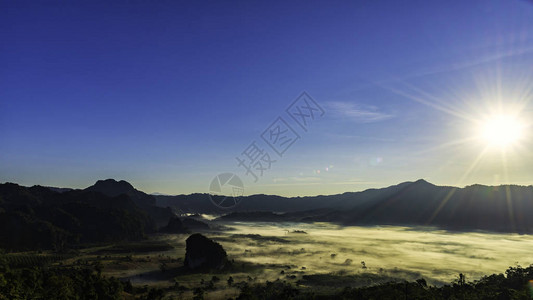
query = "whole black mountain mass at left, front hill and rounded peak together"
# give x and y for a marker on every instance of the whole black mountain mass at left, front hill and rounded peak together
(43, 218)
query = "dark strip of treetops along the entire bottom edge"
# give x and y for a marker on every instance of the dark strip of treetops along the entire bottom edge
(87, 282)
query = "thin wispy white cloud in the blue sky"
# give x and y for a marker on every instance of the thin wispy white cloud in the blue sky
(356, 112)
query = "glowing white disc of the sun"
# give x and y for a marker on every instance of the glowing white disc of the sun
(501, 130)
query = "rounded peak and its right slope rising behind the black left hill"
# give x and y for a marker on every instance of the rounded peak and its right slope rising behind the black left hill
(113, 188)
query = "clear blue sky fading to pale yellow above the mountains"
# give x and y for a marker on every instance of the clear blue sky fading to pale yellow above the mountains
(166, 94)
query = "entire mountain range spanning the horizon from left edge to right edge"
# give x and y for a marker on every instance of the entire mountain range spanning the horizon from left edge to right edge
(47, 217)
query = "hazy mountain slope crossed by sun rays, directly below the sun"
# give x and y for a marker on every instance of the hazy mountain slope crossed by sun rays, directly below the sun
(495, 208)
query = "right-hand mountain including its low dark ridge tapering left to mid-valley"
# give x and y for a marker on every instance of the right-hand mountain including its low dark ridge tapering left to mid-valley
(494, 208)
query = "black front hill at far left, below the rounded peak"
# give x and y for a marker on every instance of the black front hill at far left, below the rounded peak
(39, 218)
